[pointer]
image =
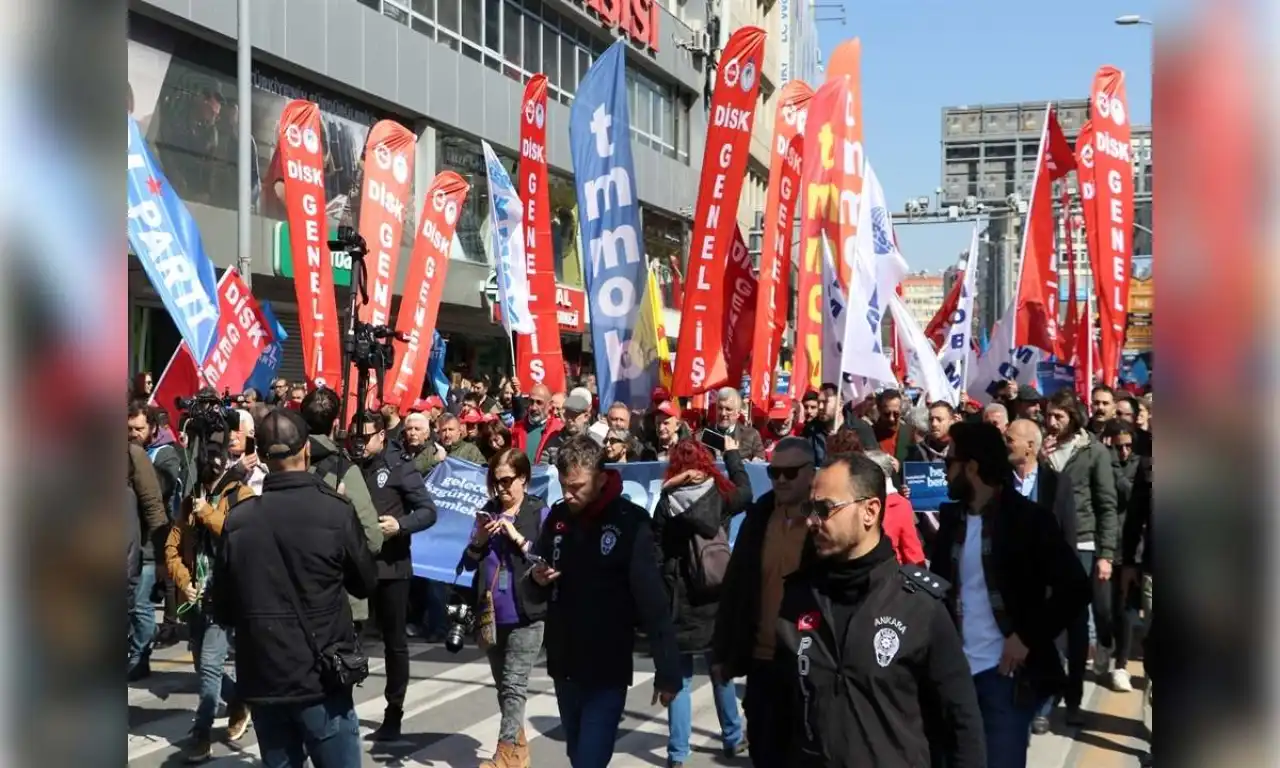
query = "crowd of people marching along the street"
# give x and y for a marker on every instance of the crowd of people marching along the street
(867, 632)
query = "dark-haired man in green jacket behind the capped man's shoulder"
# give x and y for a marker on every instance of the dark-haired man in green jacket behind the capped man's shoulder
(321, 412)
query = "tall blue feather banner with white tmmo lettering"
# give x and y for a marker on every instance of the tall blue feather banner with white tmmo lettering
(600, 132)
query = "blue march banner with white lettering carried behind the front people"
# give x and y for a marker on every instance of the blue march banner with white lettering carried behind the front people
(459, 490)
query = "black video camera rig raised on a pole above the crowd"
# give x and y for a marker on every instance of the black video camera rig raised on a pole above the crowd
(368, 348)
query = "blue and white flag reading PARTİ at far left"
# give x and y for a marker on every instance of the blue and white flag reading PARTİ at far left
(167, 243)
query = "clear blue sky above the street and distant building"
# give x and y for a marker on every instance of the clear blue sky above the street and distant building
(922, 56)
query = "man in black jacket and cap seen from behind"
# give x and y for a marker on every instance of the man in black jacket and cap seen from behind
(286, 561)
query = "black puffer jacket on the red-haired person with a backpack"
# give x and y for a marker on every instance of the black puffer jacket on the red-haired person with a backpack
(675, 522)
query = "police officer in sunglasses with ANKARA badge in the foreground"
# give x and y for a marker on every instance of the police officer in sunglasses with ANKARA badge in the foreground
(875, 670)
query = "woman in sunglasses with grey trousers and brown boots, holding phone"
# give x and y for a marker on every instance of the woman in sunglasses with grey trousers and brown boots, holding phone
(505, 532)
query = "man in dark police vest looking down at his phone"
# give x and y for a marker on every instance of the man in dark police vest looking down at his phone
(600, 583)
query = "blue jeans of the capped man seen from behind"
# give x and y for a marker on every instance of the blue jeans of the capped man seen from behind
(327, 732)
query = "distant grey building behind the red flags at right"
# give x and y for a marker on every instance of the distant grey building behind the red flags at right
(989, 156)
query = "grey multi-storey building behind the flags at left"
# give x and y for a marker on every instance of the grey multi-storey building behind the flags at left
(452, 72)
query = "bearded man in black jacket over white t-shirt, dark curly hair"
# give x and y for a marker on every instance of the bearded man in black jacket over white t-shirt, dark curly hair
(1018, 586)
